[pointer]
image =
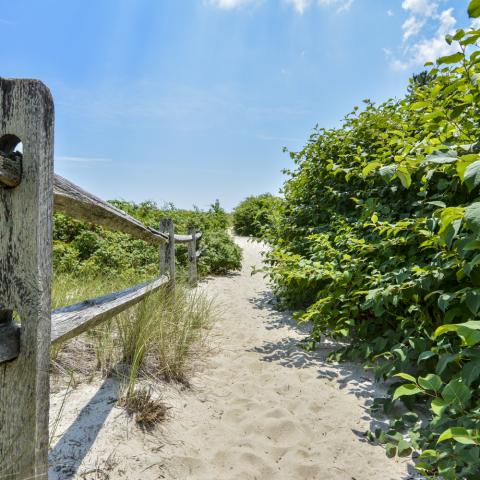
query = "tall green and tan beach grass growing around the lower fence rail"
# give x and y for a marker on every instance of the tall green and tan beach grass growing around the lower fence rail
(161, 337)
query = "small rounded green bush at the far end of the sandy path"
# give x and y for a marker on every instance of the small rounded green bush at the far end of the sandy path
(255, 213)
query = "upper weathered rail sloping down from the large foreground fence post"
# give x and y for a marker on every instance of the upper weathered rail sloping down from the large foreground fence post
(76, 202)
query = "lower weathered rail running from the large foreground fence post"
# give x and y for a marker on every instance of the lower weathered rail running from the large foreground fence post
(69, 322)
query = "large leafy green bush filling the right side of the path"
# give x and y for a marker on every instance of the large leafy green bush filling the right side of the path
(378, 243)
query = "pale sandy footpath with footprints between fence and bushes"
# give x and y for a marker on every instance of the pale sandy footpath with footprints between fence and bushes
(260, 409)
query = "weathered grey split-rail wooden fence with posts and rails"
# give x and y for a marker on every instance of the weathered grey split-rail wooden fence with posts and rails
(29, 193)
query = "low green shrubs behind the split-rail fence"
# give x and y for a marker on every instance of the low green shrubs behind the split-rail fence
(85, 249)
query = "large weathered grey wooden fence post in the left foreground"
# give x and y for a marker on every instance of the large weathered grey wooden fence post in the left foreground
(26, 115)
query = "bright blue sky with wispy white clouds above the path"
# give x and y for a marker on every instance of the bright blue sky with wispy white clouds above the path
(187, 101)
